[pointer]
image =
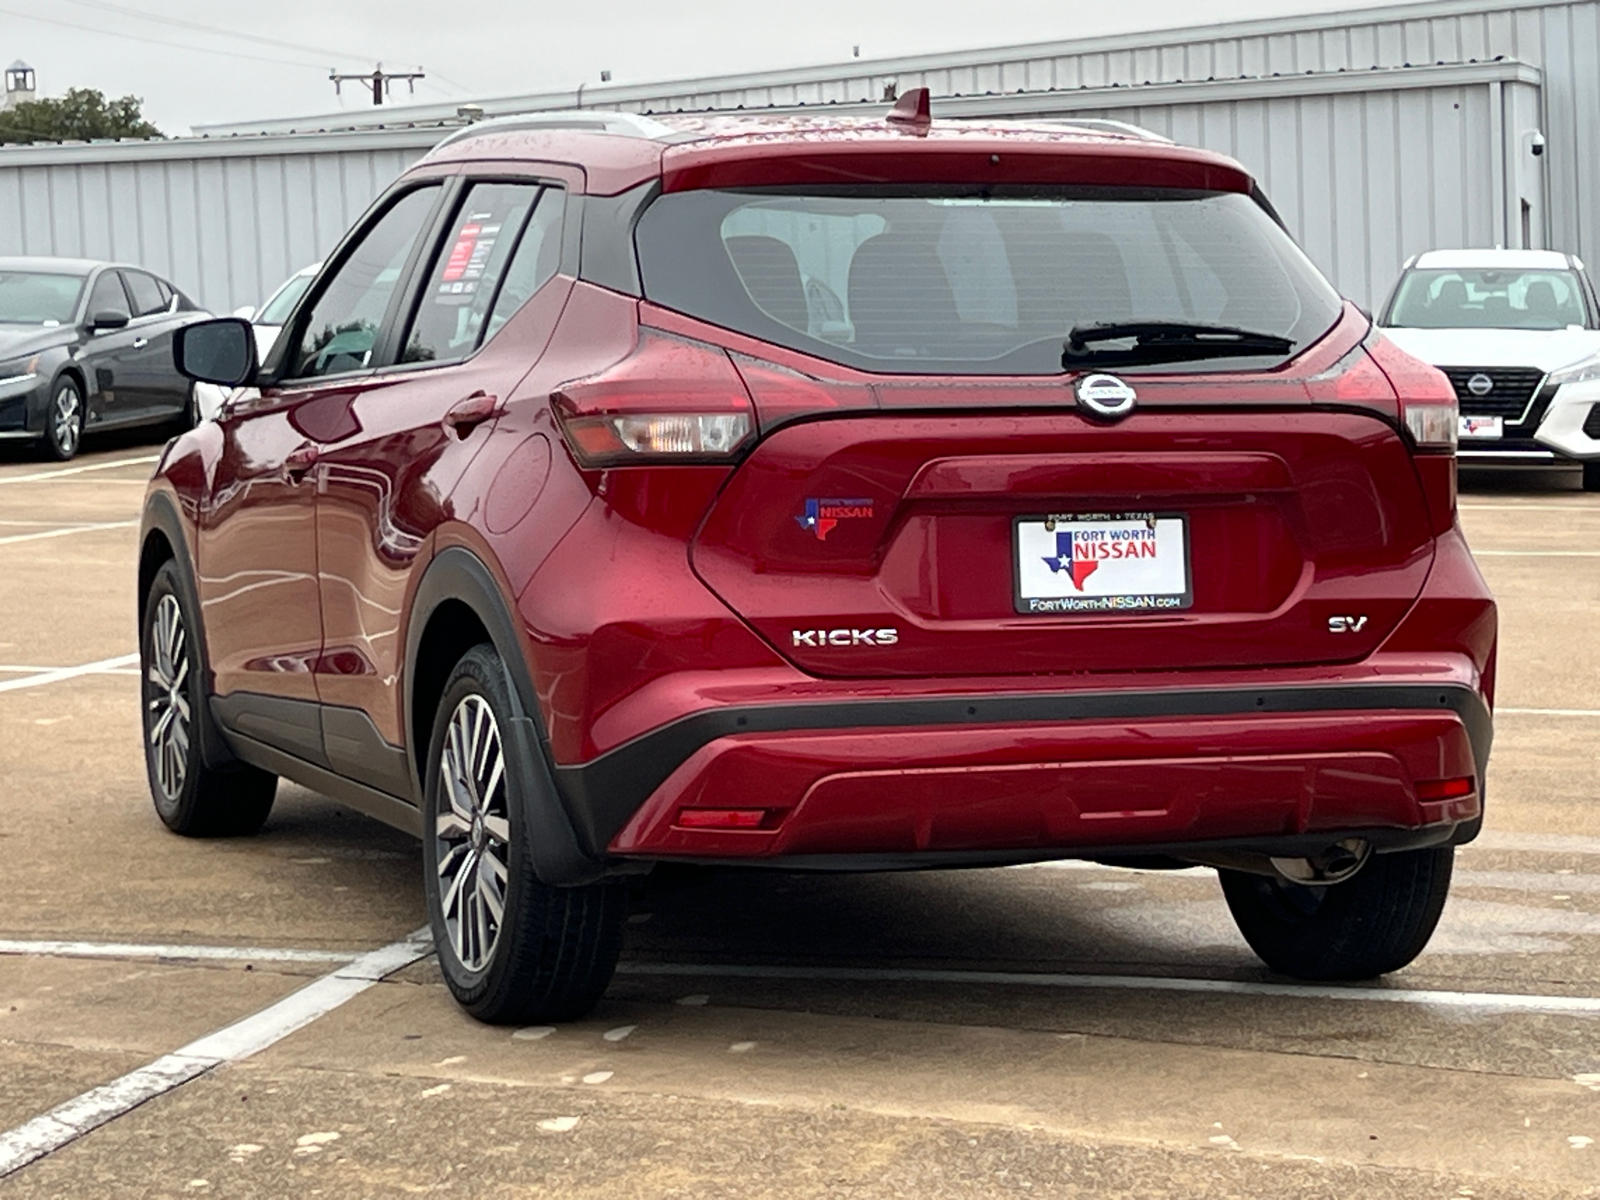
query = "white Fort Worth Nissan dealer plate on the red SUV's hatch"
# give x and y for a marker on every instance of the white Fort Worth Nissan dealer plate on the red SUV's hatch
(1126, 562)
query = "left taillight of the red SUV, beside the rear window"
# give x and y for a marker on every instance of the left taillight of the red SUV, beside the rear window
(673, 401)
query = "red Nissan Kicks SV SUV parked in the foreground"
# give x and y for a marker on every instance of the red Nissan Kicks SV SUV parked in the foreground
(834, 495)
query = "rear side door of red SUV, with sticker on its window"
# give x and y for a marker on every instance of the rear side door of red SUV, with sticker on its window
(388, 484)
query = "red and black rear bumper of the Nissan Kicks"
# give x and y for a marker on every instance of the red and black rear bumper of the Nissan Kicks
(932, 780)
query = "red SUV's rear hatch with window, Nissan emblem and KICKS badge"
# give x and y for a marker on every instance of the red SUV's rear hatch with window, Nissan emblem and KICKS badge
(930, 495)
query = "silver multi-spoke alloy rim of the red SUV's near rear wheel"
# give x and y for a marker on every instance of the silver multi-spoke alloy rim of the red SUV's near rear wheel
(473, 833)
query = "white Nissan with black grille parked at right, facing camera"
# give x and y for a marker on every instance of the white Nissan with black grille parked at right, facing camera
(1519, 335)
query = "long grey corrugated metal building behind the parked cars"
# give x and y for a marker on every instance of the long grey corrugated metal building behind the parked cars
(1378, 134)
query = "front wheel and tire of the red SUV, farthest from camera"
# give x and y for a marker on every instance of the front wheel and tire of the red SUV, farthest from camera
(191, 798)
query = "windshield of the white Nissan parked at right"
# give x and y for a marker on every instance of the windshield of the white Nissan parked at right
(1489, 300)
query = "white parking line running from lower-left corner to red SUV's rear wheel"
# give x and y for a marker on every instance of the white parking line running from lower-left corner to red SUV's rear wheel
(82, 1114)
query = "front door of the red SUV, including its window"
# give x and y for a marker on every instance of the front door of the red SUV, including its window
(258, 537)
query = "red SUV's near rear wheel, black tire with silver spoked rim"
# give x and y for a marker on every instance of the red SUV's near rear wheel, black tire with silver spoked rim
(548, 953)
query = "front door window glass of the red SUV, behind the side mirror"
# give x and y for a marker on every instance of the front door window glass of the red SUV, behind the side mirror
(343, 327)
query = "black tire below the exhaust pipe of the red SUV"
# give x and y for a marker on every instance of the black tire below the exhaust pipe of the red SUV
(1374, 924)
